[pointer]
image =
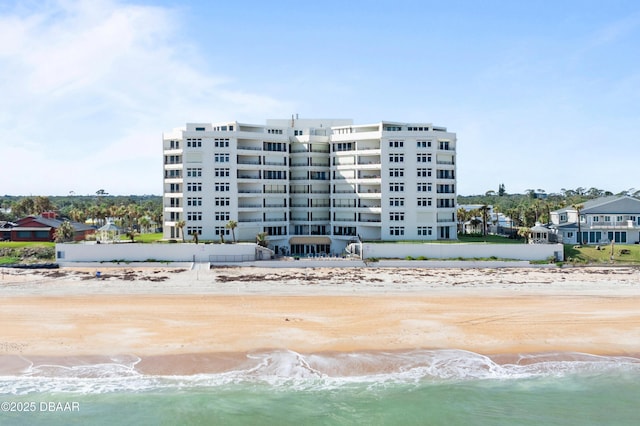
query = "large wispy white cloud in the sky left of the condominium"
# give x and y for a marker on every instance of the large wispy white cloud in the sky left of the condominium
(96, 82)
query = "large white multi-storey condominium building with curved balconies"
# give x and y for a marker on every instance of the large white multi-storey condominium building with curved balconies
(312, 186)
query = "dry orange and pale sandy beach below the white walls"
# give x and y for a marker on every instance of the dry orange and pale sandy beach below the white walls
(190, 313)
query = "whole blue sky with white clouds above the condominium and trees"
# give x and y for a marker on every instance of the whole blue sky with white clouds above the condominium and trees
(541, 94)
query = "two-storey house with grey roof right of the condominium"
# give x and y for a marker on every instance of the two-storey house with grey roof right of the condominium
(602, 220)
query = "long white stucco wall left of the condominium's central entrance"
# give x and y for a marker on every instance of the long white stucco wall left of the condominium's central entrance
(180, 252)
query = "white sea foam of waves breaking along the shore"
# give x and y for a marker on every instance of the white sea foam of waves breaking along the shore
(289, 369)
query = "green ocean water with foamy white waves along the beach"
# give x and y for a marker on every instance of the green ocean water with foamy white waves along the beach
(443, 387)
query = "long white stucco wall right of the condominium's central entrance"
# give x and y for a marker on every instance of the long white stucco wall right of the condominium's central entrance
(466, 251)
